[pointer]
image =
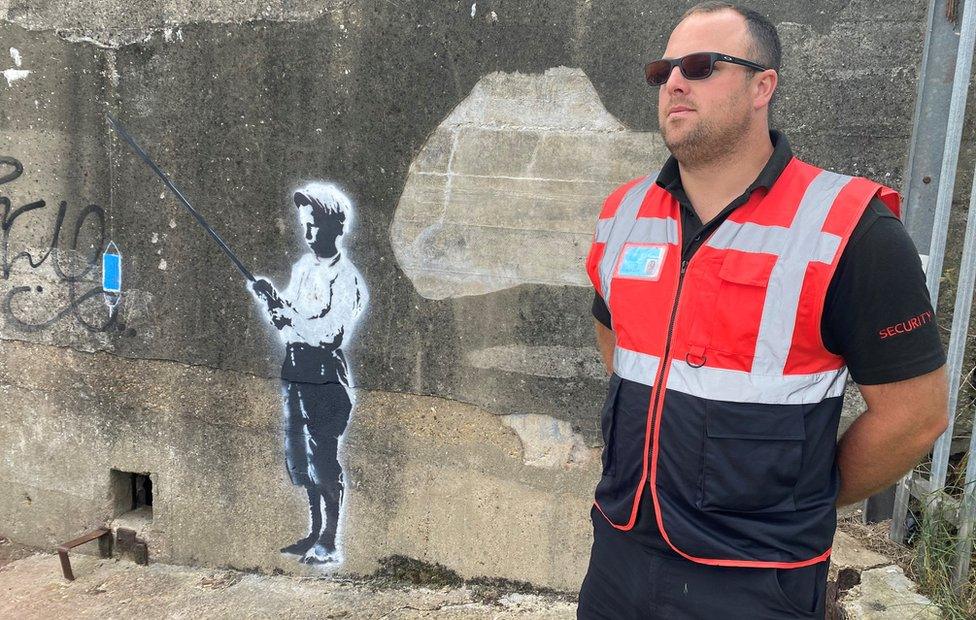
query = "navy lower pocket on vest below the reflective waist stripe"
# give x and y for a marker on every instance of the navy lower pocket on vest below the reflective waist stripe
(751, 457)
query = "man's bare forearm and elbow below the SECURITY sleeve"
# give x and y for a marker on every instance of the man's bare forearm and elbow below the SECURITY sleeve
(901, 423)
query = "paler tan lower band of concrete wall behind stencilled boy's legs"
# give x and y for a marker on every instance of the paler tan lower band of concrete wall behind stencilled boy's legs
(426, 478)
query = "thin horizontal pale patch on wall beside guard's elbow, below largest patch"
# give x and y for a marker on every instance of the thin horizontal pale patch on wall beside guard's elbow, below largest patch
(558, 362)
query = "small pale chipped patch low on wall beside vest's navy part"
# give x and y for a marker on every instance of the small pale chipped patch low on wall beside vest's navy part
(548, 442)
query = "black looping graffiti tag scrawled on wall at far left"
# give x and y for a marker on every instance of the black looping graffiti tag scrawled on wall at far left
(91, 219)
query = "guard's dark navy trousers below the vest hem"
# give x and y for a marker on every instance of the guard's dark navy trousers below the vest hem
(628, 579)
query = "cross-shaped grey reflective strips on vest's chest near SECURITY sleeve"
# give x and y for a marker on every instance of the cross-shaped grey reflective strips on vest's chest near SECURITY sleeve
(803, 242)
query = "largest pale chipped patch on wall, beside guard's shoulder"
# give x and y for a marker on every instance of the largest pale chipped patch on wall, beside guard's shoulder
(507, 189)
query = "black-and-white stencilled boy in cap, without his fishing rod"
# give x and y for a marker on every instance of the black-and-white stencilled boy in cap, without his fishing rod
(314, 315)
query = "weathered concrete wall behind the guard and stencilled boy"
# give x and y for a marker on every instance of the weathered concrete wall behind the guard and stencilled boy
(475, 142)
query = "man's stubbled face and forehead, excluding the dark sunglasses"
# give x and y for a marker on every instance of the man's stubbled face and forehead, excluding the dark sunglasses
(702, 119)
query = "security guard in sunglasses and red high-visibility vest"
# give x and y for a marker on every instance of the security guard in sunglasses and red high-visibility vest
(735, 290)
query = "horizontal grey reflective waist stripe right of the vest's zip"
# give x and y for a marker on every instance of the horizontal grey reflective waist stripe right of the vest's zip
(743, 387)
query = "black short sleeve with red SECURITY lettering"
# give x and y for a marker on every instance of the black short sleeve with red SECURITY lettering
(877, 314)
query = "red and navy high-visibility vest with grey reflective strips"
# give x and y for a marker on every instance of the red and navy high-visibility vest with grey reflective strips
(724, 403)
